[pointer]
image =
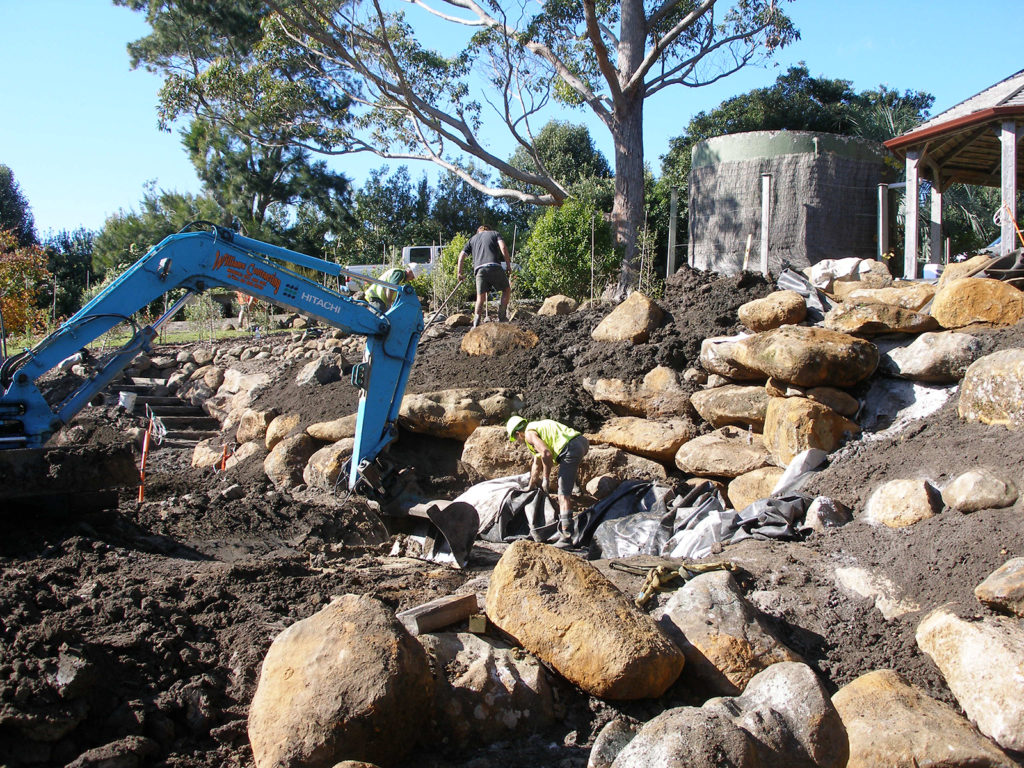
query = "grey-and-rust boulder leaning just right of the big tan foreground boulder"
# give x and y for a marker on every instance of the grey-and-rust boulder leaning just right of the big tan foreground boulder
(726, 639)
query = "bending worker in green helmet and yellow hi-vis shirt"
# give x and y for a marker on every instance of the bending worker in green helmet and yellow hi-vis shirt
(552, 443)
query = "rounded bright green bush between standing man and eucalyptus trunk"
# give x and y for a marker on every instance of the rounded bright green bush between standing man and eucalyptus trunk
(559, 253)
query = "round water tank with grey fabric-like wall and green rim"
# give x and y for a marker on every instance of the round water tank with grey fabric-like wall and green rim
(825, 193)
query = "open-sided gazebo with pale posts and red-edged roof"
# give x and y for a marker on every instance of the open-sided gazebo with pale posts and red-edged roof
(975, 143)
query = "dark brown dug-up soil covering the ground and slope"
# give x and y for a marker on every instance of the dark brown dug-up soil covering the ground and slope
(134, 636)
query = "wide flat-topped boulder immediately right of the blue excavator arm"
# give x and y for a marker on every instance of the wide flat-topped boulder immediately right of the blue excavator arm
(456, 413)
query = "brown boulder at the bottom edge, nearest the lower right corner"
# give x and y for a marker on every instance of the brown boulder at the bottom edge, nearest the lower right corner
(891, 722)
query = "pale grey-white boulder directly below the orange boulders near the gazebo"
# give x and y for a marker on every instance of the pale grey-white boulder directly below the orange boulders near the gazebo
(941, 358)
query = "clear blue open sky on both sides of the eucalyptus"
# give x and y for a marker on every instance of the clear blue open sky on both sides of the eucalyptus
(79, 127)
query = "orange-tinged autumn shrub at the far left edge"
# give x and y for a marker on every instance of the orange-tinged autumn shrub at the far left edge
(23, 279)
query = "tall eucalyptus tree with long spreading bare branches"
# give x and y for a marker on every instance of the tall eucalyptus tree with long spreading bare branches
(359, 76)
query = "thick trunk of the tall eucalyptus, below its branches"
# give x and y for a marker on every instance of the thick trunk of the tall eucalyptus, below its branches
(627, 212)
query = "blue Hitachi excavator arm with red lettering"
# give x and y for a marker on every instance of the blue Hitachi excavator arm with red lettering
(198, 262)
